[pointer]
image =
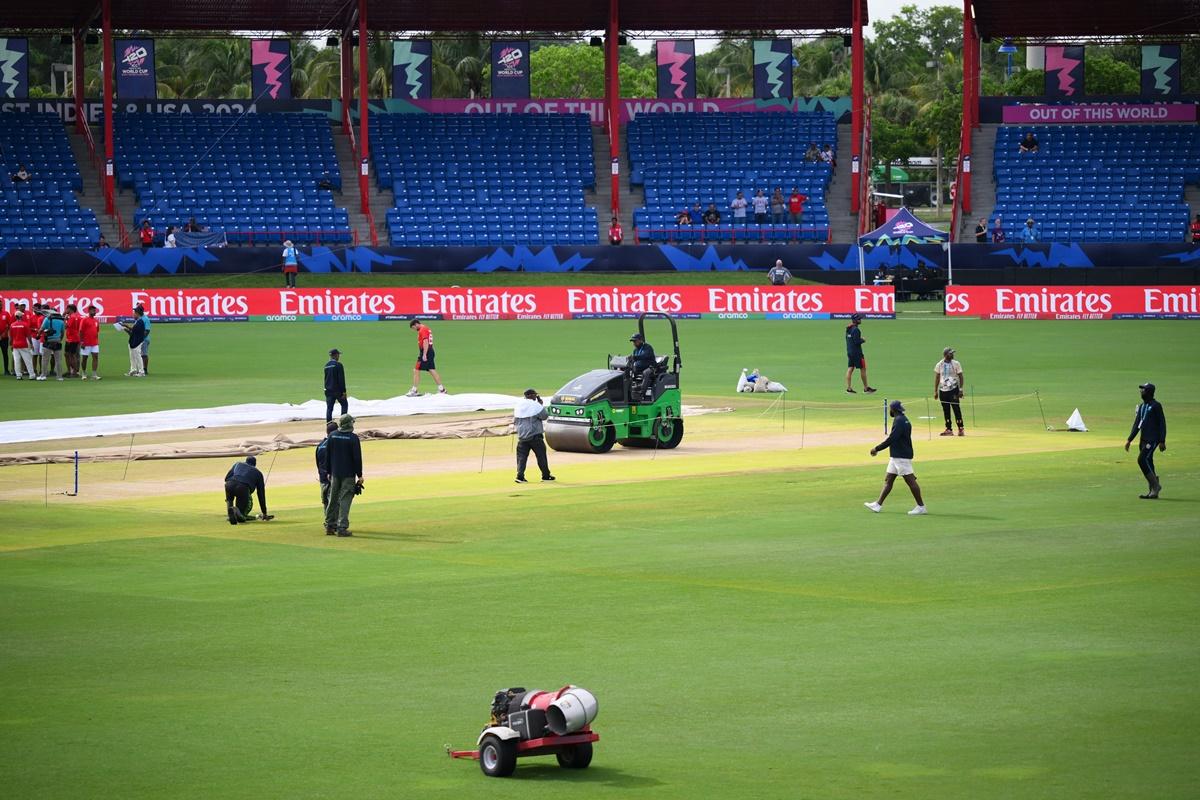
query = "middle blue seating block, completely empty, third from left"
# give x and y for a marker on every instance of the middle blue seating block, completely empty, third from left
(470, 179)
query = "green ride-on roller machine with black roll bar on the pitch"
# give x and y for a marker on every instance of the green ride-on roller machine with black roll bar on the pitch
(607, 407)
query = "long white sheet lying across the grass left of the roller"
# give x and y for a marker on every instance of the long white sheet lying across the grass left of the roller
(244, 414)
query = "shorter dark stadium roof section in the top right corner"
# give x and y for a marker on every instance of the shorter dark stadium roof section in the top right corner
(1033, 20)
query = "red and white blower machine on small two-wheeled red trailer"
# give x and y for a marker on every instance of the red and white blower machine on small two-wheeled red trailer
(536, 724)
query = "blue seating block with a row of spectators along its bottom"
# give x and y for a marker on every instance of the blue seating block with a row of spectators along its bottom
(685, 159)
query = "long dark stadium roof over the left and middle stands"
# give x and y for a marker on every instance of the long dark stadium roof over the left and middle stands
(425, 16)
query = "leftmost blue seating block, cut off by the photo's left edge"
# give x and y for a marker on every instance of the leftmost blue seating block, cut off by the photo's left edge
(44, 212)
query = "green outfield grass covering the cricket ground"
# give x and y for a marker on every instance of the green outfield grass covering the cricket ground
(749, 629)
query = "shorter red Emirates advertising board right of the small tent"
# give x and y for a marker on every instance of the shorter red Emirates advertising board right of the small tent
(1073, 303)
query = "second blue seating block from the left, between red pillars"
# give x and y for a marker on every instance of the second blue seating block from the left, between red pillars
(254, 178)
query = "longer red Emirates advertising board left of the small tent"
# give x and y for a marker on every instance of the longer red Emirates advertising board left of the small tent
(477, 304)
